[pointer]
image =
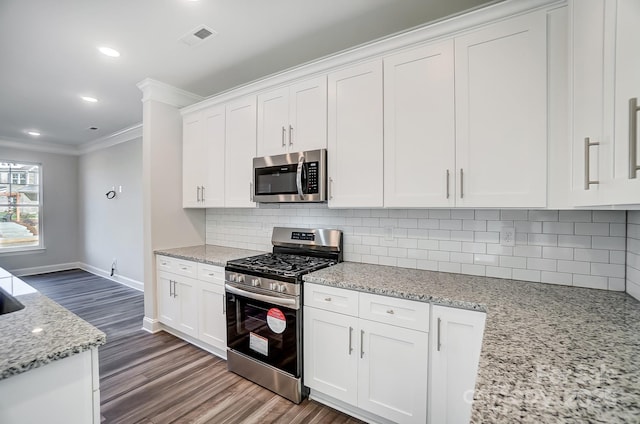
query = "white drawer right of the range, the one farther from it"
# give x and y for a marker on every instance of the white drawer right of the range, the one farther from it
(395, 311)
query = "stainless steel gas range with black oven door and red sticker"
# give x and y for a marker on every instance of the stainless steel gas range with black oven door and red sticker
(264, 307)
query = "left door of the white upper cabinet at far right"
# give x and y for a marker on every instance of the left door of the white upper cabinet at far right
(591, 66)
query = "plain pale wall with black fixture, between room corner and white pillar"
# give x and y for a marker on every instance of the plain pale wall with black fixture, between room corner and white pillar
(112, 228)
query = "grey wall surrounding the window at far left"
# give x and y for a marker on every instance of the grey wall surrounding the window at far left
(59, 215)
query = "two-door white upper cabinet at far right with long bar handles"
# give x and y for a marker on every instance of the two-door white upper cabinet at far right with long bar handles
(605, 78)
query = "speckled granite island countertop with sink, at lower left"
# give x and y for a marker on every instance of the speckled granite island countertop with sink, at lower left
(40, 333)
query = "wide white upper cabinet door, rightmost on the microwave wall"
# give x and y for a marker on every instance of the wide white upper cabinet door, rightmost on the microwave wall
(501, 110)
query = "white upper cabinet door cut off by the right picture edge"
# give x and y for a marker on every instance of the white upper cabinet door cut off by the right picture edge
(627, 81)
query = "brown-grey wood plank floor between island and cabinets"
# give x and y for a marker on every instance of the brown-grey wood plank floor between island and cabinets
(158, 378)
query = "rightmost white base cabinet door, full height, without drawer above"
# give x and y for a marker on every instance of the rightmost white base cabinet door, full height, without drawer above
(456, 340)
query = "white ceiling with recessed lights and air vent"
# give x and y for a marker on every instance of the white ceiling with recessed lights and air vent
(49, 57)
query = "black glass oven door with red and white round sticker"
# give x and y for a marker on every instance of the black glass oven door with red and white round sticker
(265, 327)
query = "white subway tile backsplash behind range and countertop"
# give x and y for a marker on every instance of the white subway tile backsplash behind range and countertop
(580, 248)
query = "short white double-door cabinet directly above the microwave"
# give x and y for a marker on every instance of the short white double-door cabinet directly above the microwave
(293, 118)
